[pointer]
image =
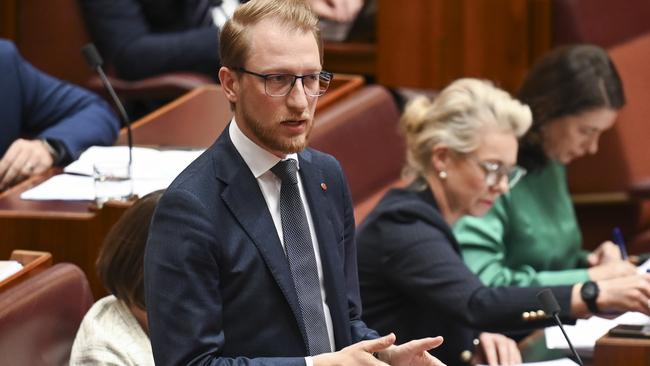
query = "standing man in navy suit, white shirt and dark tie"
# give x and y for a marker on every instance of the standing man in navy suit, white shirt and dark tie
(220, 283)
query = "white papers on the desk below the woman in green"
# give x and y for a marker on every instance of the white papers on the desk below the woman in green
(586, 332)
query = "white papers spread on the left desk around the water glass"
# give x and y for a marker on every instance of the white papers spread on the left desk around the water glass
(152, 170)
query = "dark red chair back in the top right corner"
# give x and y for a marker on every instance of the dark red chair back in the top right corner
(602, 22)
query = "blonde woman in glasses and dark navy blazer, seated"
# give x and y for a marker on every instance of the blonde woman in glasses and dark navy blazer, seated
(461, 156)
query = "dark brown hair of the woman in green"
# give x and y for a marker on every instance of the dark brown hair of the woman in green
(568, 81)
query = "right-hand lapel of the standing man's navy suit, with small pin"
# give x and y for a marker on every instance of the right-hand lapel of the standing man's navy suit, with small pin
(317, 195)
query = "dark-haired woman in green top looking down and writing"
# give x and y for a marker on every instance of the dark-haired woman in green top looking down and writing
(531, 237)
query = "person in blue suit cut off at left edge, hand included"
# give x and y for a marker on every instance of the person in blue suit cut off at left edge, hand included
(45, 121)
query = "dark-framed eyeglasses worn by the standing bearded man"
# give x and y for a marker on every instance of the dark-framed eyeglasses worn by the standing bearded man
(279, 85)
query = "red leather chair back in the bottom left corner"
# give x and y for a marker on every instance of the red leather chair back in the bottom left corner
(39, 317)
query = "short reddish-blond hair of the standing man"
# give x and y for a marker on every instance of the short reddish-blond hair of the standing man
(235, 40)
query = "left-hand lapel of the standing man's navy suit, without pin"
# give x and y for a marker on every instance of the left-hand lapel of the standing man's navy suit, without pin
(246, 202)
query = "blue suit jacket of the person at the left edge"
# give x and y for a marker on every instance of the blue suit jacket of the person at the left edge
(35, 105)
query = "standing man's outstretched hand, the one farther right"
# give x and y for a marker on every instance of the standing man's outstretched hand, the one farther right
(413, 353)
